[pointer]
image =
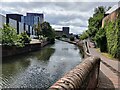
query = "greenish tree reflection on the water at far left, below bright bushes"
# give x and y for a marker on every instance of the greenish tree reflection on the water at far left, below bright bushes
(15, 64)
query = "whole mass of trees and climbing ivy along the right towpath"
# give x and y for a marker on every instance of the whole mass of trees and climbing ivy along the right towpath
(106, 38)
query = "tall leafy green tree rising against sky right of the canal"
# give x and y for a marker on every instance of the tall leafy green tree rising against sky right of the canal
(94, 23)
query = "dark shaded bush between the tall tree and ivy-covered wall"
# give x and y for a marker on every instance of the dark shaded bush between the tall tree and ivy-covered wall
(101, 40)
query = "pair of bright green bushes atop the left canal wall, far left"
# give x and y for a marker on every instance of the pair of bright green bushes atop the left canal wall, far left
(9, 37)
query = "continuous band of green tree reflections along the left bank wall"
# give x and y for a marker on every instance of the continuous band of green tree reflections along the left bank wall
(16, 64)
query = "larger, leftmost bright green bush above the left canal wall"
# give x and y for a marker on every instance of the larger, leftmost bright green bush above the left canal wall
(9, 36)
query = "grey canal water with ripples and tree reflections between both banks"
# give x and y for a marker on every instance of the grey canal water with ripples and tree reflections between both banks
(42, 68)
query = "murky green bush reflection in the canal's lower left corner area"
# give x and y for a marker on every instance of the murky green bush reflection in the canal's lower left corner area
(12, 69)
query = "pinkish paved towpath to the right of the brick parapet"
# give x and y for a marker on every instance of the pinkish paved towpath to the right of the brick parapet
(109, 76)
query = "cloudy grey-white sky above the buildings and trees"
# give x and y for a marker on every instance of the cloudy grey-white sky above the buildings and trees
(59, 13)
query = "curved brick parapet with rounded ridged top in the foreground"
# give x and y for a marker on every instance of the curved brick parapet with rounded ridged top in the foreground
(83, 76)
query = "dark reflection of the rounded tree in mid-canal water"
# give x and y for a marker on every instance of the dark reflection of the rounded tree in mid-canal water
(45, 54)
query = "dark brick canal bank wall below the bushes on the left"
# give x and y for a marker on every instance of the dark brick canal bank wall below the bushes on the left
(13, 50)
